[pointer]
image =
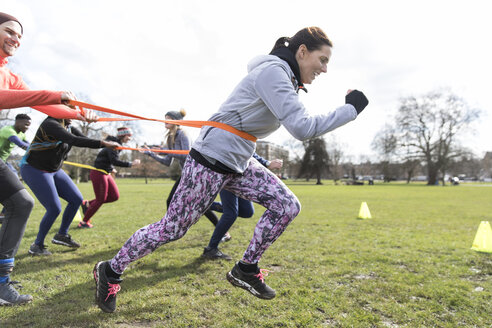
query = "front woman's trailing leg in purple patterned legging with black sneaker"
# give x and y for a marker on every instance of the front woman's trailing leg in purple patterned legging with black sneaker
(198, 188)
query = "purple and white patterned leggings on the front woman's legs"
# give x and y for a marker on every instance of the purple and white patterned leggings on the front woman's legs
(197, 190)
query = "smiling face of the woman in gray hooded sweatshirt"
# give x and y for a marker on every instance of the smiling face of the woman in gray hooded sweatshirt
(312, 63)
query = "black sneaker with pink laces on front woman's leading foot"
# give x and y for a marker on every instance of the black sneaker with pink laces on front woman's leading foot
(252, 282)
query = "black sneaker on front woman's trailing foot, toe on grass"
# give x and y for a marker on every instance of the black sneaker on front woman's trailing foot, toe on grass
(106, 287)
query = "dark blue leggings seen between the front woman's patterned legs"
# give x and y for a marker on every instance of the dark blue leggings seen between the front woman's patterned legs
(233, 207)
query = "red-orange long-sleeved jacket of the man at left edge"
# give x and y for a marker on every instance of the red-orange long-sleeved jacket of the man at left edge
(14, 93)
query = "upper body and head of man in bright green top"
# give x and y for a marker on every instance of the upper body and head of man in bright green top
(13, 135)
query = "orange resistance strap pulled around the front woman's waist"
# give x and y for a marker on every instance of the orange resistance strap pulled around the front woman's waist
(195, 124)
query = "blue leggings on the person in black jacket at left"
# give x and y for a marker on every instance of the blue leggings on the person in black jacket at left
(48, 187)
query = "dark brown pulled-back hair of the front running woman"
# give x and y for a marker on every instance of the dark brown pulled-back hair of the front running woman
(312, 37)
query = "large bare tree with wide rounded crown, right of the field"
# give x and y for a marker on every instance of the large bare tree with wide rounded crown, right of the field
(429, 128)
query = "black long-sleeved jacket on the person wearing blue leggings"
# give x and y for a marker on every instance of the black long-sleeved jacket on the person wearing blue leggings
(52, 143)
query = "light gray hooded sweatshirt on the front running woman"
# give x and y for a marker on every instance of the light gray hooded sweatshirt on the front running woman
(265, 99)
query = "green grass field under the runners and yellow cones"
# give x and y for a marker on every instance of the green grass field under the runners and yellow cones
(409, 266)
